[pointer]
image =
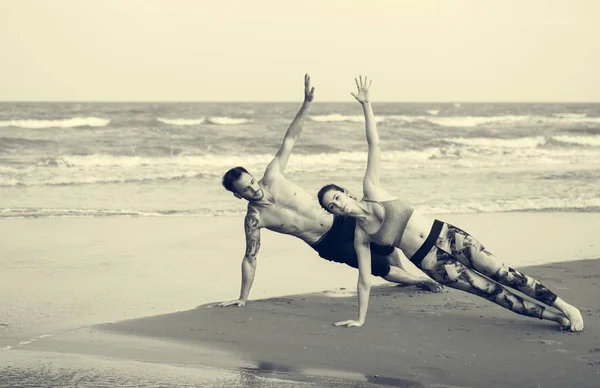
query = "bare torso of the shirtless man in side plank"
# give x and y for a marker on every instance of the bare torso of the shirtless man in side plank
(287, 208)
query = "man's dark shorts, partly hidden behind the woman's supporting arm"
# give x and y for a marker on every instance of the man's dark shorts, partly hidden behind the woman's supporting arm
(338, 245)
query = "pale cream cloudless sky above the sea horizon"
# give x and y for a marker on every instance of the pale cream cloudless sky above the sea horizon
(259, 50)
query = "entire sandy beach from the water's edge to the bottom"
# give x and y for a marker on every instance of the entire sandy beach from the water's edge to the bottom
(129, 302)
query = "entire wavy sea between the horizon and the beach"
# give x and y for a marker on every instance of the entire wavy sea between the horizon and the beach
(143, 159)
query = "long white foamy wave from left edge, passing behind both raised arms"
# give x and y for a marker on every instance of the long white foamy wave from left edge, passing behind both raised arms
(101, 169)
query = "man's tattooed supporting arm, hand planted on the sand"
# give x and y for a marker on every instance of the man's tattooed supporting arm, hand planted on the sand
(249, 262)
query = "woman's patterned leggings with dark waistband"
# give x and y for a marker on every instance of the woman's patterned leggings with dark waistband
(458, 260)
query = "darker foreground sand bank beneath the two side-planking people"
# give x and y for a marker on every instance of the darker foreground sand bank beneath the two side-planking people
(411, 339)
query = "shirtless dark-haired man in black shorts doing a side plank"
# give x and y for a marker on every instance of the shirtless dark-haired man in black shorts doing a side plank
(277, 204)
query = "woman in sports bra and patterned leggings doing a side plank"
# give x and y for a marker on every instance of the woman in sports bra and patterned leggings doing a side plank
(444, 252)
